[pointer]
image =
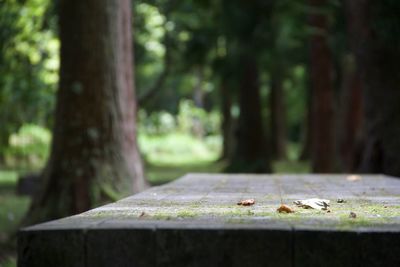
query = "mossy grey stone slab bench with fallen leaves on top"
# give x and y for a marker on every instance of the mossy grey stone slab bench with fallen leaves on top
(195, 221)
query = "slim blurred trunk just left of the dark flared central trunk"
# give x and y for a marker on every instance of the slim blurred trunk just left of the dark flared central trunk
(227, 120)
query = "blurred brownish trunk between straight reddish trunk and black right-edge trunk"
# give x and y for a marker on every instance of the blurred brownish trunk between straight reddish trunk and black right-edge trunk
(348, 94)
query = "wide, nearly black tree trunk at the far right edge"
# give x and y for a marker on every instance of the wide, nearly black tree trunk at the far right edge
(374, 29)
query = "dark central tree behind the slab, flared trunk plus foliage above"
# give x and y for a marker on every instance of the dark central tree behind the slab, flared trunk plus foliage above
(245, 21)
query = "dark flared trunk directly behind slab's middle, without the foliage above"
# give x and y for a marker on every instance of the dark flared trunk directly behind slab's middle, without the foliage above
(251, 154)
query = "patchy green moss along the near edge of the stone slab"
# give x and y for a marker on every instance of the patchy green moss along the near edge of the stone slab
(369, 214)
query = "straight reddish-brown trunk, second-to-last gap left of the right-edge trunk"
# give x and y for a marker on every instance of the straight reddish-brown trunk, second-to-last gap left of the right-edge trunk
(323, 96)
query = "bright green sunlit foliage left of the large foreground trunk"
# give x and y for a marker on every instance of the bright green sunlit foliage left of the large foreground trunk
(28, 65)
